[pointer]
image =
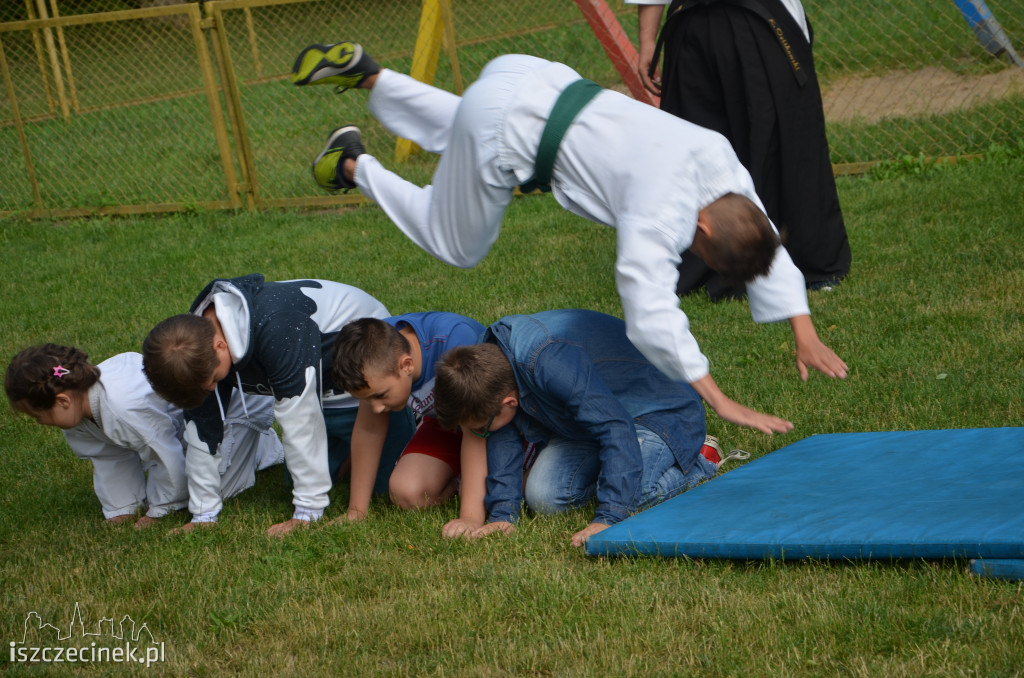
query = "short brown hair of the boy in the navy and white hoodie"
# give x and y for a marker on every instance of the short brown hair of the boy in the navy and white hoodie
(179, 359)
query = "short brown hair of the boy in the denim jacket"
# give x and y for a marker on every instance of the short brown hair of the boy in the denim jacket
(473, 382)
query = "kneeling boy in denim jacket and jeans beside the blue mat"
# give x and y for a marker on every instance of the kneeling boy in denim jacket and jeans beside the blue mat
(614, 427)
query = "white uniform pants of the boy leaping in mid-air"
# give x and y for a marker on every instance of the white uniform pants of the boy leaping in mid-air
(458, 218)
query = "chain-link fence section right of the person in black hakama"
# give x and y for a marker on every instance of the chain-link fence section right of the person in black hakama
(913, 79)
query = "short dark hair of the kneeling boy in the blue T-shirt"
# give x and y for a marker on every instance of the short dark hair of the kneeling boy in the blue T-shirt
(368, 346)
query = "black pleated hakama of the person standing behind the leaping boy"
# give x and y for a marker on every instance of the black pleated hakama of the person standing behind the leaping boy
(731, 69)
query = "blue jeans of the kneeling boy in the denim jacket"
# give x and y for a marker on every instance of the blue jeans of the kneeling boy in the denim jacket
(566, 474)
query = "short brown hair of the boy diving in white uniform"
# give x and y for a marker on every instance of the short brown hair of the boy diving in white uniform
(745, 242)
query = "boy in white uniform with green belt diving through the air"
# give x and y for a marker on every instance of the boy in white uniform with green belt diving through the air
(664, 184)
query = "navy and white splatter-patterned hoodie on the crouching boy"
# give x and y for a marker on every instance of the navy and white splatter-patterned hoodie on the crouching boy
(280, 336)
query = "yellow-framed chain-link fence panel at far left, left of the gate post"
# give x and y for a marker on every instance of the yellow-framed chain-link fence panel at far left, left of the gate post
(112, 109)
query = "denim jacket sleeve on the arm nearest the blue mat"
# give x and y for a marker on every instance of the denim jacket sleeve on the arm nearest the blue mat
(566, 374)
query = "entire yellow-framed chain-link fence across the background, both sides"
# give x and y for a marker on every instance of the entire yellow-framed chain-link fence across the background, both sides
(134, 106)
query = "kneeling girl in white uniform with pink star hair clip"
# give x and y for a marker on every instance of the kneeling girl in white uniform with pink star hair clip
(135, 439)
